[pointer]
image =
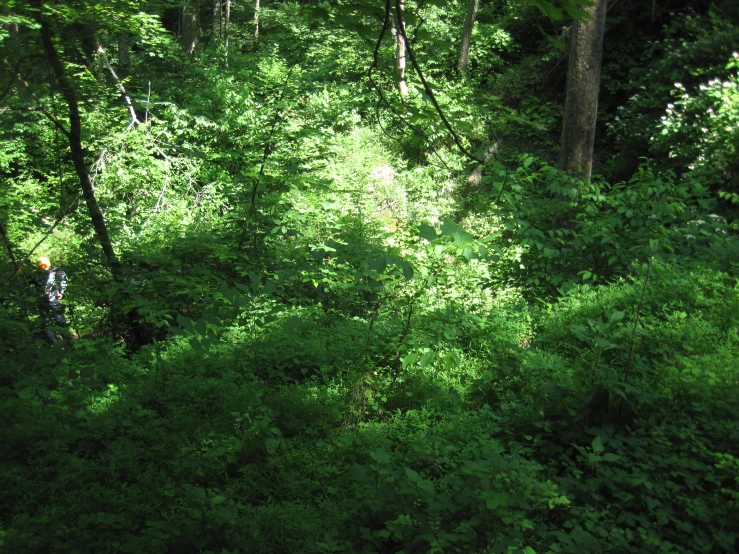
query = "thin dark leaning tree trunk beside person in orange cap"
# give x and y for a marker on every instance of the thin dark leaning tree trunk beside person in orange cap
(75, 141)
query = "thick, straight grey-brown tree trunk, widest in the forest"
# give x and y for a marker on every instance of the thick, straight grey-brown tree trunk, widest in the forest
(583, 84)
